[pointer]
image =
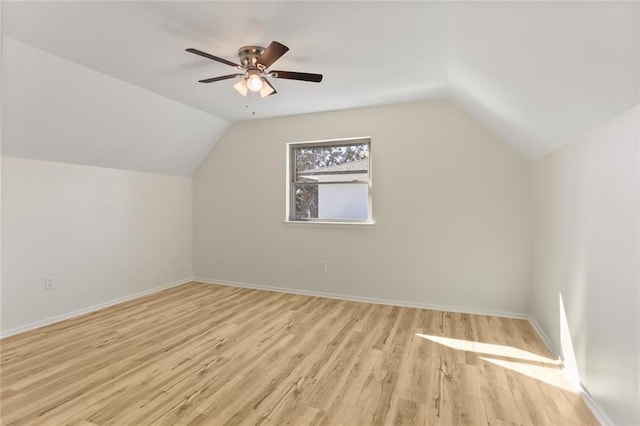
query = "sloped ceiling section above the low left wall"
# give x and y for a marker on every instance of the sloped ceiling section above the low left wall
(56, 110)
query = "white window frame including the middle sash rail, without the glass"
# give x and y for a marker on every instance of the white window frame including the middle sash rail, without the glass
(291, 176)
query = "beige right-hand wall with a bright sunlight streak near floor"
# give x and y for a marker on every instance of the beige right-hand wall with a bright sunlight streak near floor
(585, 209)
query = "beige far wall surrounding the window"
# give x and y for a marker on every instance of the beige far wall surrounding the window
(449, 201)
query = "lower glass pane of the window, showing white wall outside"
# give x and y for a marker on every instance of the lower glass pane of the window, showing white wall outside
(337, 201)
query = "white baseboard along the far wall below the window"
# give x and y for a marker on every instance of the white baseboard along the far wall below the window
(377, 301)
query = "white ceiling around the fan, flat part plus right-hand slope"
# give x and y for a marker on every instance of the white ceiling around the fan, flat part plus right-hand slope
(537, 74)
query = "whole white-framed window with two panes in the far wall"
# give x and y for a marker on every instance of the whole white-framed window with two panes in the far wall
(329, 181)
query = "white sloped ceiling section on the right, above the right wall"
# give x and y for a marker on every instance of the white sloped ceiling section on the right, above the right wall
(542, 74)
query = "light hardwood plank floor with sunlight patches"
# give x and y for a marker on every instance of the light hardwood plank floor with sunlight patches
(212, 355)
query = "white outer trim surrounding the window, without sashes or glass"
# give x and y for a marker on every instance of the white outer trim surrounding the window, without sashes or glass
(369, 222)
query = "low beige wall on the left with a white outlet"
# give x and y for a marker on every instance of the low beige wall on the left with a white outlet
(102, 234)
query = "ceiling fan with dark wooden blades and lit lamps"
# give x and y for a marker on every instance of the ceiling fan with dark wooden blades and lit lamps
(254, 61)
